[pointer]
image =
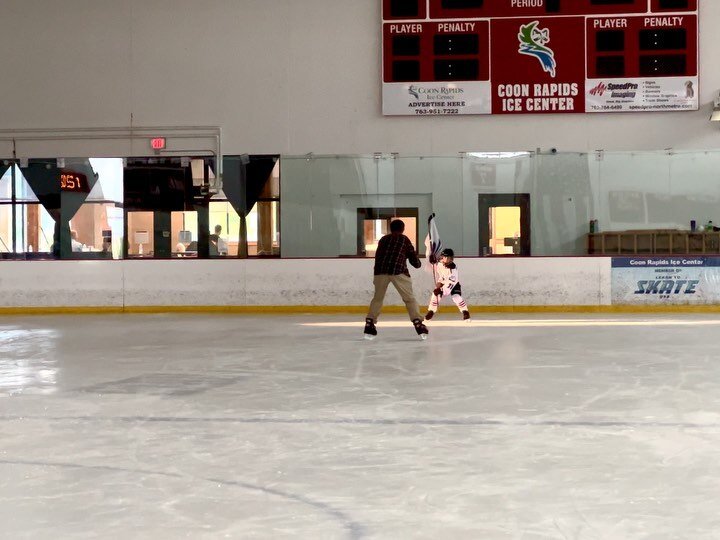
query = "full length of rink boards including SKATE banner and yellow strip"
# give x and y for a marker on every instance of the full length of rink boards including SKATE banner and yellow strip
(337, 284)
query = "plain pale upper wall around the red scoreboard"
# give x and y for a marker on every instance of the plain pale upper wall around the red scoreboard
(279, 76)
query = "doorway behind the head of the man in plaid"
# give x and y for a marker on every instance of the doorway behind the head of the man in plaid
(374, 223)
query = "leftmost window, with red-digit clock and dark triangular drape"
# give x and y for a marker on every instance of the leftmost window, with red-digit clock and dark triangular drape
(57, 208)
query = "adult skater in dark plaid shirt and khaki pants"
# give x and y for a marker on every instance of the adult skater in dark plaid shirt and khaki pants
(393, 252)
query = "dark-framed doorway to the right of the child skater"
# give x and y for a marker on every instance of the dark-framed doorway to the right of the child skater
(504, 224)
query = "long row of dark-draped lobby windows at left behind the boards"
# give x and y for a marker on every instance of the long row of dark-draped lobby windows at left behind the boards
(110, 208)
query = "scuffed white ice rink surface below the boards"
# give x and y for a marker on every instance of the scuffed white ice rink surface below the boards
(277, 427)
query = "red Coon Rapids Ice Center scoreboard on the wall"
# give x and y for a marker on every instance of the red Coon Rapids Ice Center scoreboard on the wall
(454, 57)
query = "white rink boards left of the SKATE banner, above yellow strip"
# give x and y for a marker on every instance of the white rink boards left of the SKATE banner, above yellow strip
(301, 282)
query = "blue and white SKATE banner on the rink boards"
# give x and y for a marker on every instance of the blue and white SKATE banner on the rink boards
(665, 280)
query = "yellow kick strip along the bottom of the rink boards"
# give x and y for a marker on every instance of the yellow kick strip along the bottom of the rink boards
(297, 310)
